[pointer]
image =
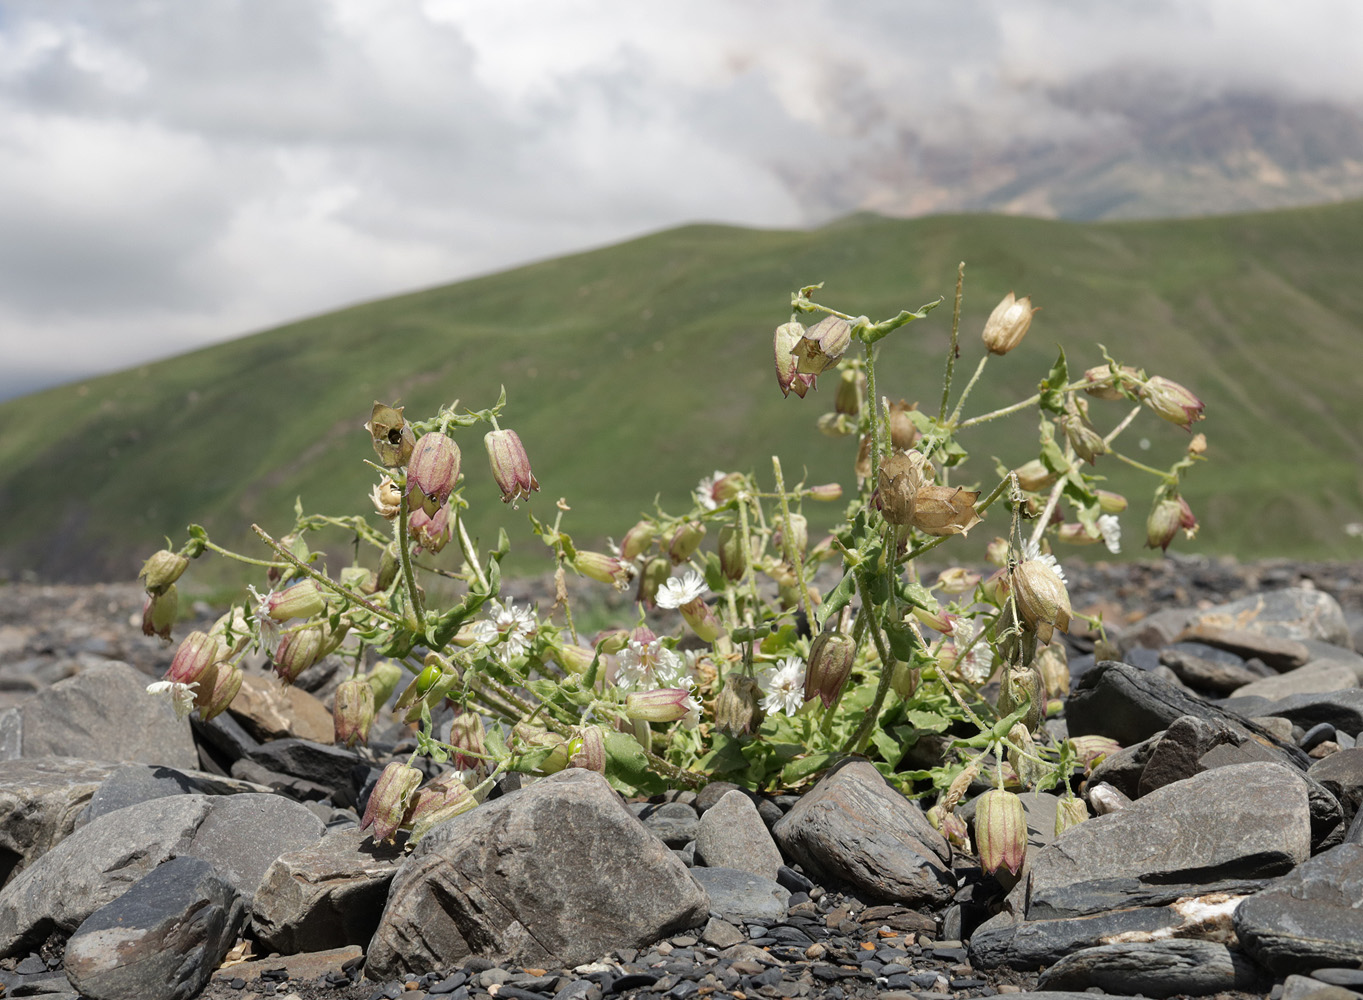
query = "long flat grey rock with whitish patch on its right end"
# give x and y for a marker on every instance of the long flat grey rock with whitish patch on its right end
(1008, 941)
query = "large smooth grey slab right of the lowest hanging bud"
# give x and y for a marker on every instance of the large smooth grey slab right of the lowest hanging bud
(1259, 814)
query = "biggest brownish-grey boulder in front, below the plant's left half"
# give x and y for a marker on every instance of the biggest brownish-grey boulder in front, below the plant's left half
(555, 874)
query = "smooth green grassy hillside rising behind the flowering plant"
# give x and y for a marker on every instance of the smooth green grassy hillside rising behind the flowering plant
(636, 370)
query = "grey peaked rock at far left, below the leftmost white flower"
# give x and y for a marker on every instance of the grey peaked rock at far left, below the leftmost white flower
(107, 715)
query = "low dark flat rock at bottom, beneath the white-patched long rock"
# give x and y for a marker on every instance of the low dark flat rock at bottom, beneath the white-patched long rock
(1157, 969)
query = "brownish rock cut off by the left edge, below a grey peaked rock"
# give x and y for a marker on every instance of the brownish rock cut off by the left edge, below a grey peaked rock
(40, 802)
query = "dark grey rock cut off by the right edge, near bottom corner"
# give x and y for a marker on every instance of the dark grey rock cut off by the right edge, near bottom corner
(1309, 919)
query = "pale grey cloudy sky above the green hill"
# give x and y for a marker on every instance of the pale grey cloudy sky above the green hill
(175, 174)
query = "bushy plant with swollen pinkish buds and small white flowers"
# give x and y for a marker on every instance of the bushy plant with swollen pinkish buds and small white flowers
(768, 679)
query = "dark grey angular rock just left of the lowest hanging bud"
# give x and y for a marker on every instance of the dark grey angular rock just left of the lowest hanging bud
(854, 828)
